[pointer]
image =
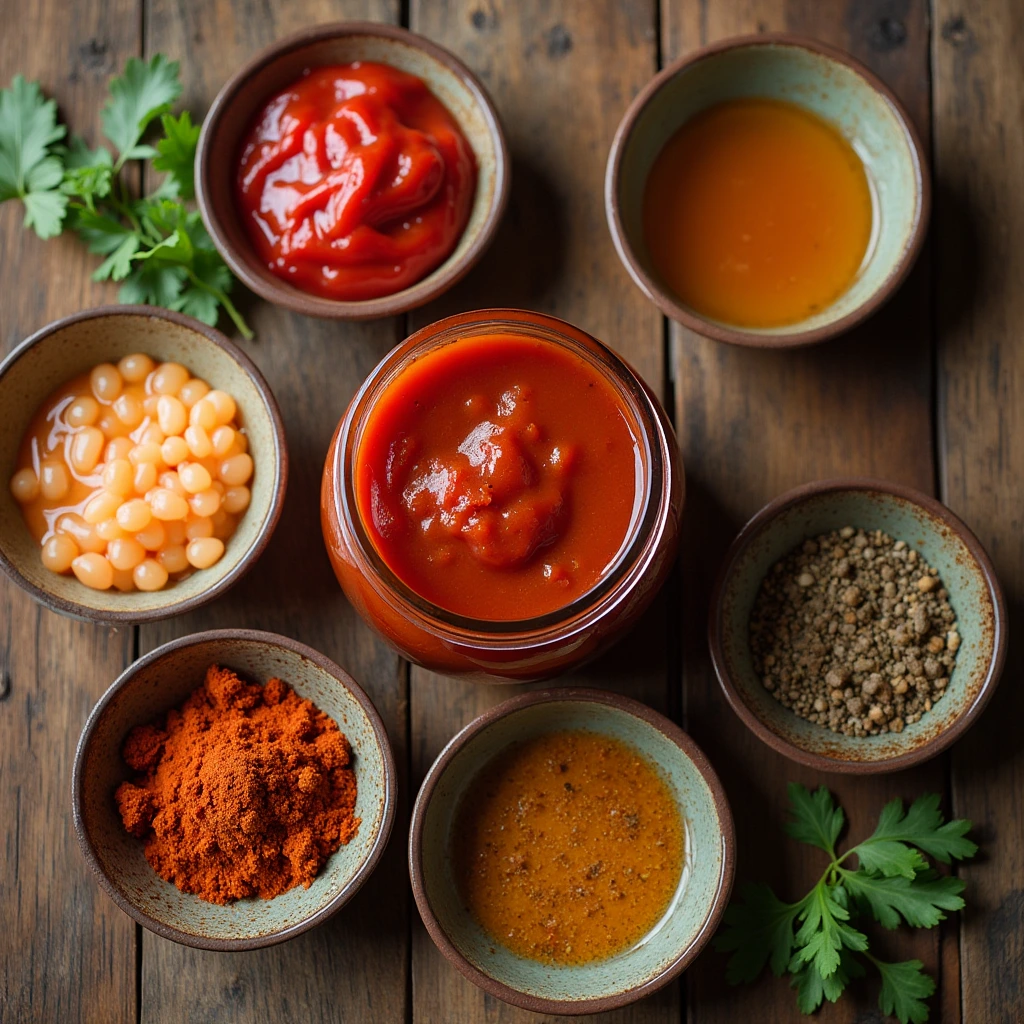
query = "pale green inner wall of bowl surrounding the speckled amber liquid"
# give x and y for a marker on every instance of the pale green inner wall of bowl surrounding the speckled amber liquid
(704, 885)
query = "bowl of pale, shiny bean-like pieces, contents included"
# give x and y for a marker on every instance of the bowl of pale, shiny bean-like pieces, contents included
(145, 463)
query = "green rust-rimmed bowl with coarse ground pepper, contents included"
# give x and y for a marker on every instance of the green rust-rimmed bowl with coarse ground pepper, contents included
(858, 626)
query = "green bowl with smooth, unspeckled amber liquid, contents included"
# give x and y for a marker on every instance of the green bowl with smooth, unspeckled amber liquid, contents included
(767, 191)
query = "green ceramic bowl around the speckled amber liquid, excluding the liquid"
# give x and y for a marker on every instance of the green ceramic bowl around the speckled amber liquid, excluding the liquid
(694, 914)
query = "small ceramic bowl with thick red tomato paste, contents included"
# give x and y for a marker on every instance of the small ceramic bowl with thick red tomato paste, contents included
(353, 172)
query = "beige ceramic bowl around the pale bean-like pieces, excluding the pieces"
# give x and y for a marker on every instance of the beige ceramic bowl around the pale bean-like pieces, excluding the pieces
(71, 347)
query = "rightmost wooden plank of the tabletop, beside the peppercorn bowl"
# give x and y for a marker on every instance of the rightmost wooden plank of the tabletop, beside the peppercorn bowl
(979, 153)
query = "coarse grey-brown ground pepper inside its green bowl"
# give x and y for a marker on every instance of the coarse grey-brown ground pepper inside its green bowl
(855, 631)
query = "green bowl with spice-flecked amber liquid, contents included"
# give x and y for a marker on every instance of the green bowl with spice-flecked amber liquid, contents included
(572, 851)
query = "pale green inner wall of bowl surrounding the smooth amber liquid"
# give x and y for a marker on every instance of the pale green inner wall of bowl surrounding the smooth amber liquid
(816, 81)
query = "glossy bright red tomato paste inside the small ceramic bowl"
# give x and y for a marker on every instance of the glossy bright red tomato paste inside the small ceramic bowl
(356, 182)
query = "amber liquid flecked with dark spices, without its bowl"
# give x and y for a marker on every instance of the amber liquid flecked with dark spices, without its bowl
(569, 848)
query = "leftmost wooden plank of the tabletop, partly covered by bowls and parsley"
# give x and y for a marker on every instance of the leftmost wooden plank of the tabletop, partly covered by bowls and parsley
(67, 953)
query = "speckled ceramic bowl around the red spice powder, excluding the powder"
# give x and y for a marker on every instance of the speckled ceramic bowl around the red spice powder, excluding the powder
(162, 680)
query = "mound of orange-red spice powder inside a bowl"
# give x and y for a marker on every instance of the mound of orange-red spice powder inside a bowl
(245, 791)
